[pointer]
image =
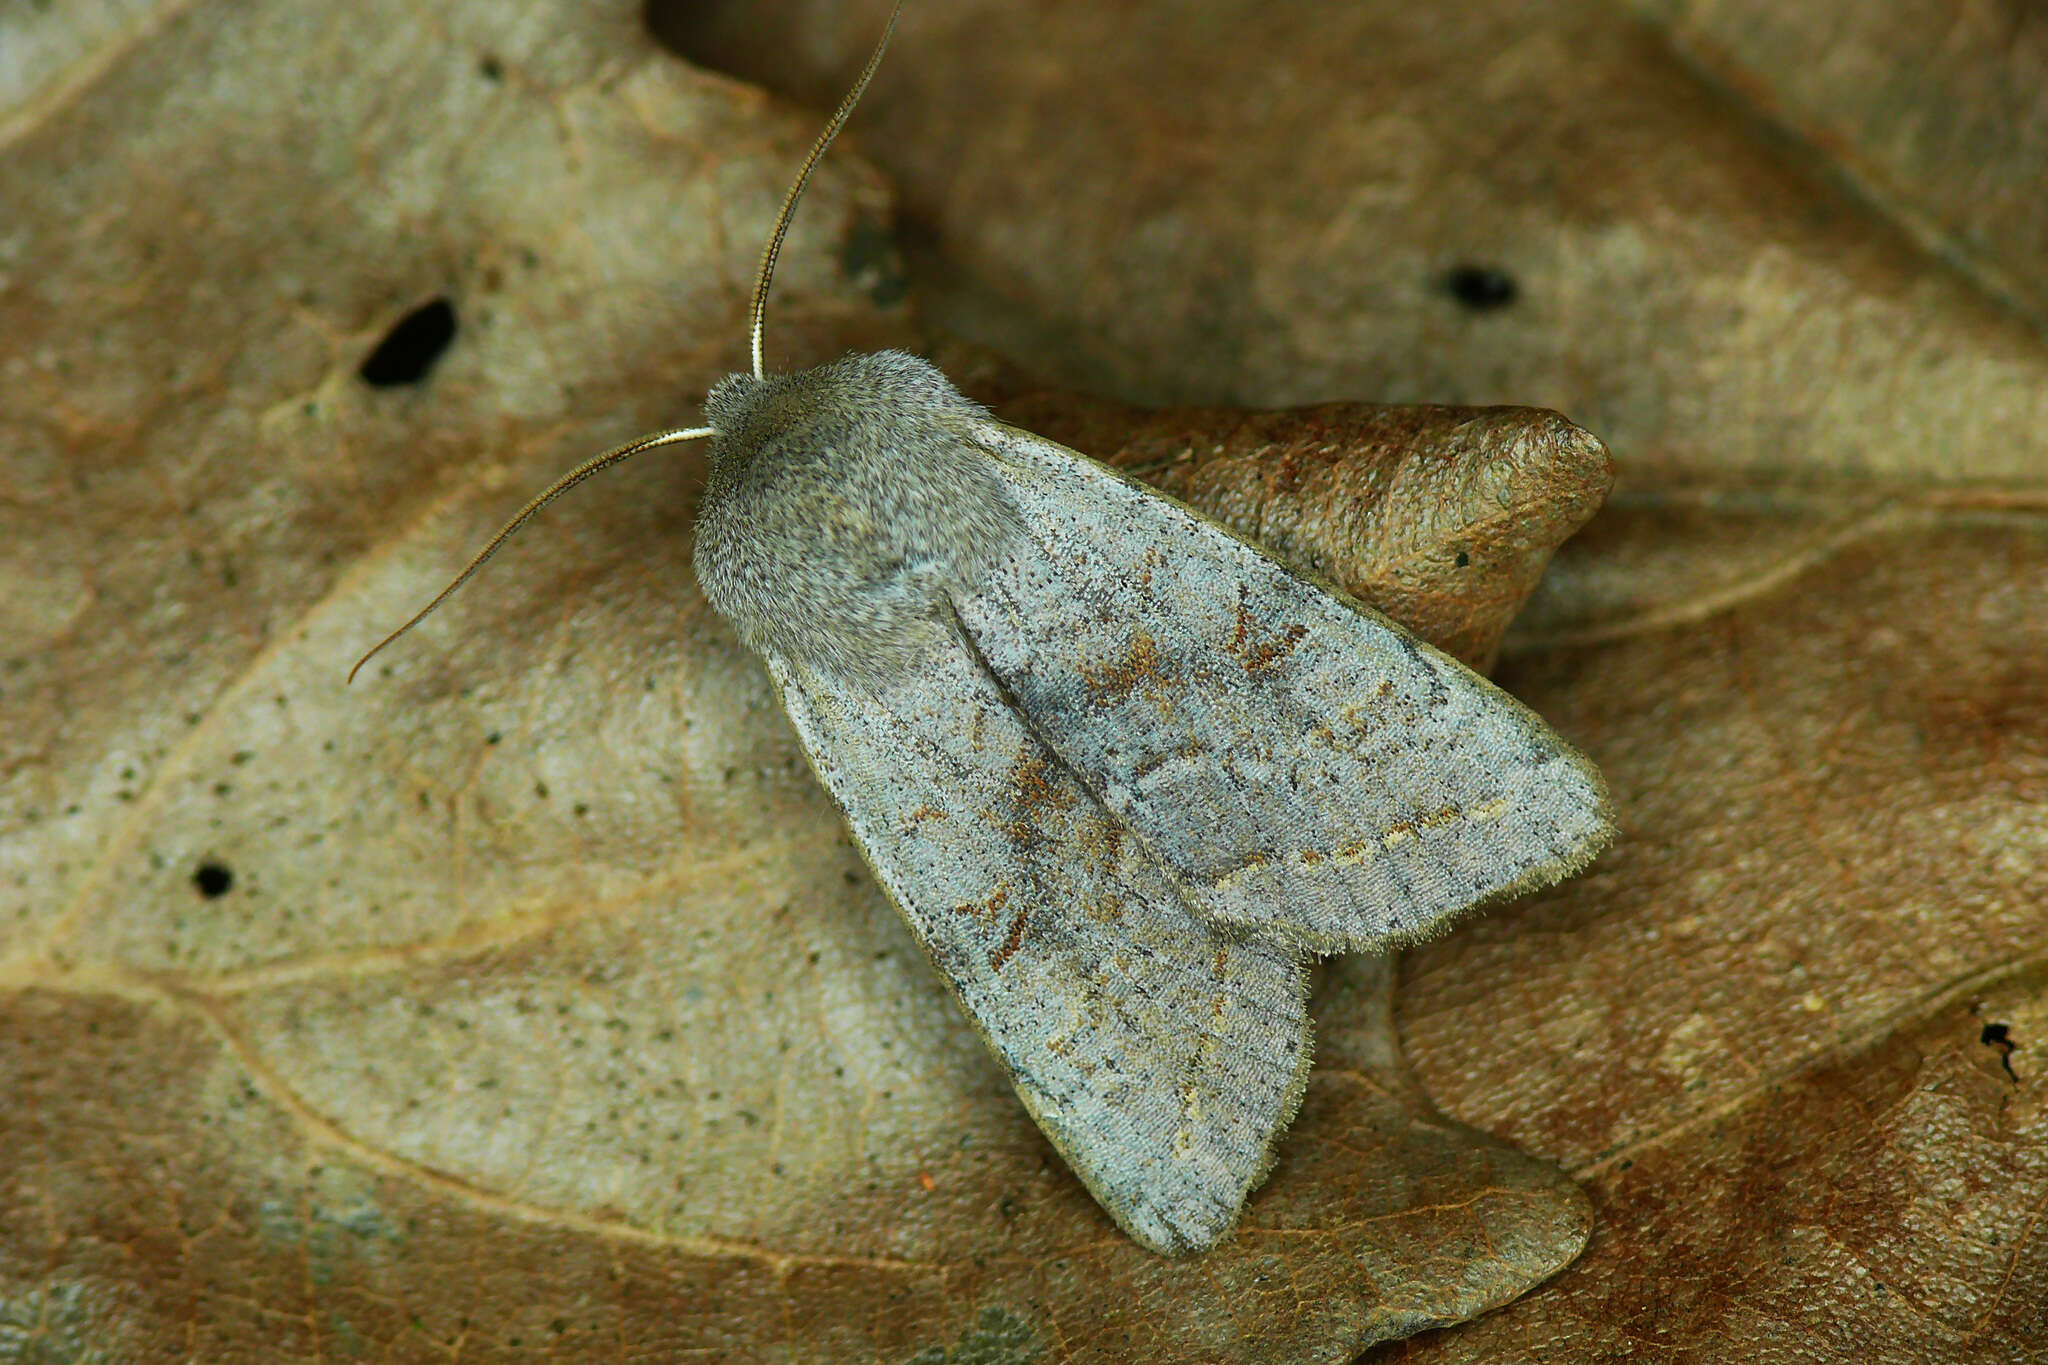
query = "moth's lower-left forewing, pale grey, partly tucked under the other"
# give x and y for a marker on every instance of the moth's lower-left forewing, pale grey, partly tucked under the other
(1160, 1057)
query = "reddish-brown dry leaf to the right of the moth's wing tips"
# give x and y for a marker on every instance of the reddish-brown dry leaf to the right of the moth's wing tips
(1791, 1028)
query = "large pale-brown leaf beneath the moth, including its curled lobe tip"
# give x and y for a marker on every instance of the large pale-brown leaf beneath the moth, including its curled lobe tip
(529, 998)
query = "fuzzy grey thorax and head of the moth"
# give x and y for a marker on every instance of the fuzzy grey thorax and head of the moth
(847, 509)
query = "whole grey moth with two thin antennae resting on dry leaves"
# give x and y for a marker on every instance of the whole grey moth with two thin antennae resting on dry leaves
(1123, 775)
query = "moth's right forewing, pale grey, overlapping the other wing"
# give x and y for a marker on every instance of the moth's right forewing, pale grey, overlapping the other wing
(1302, 766)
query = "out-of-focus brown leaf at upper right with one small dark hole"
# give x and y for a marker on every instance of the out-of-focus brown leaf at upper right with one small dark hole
(1263, 204)
